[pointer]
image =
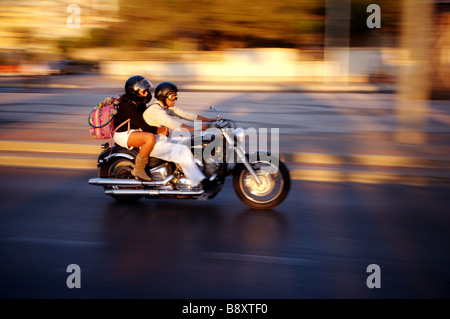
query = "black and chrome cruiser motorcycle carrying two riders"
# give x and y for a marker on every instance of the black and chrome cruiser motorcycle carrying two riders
(260, 180)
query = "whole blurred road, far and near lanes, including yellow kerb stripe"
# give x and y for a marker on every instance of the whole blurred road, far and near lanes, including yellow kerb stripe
(358, 198)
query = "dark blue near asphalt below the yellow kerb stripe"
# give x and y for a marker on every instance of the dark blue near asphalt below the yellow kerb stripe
(317, 244)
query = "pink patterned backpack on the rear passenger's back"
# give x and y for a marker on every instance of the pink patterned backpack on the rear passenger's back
(101, 119)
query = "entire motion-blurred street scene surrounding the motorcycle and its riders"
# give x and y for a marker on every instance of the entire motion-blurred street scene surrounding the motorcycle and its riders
(359, 90)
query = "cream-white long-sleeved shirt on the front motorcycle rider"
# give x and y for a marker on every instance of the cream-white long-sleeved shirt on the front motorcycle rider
(172, 117)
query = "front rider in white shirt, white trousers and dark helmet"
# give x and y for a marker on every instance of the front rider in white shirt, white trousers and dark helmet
(163, 112)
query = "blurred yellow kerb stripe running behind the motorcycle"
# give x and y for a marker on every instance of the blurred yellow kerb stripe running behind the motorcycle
(427, 171)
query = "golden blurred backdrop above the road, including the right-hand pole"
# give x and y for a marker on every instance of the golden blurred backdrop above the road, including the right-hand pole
(296, 42)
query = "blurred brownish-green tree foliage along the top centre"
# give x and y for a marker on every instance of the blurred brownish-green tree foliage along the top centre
(217, 24)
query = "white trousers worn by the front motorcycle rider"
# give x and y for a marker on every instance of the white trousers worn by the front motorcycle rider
(172, 151)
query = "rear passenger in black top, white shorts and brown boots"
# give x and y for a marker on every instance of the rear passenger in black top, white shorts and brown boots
(136, 133)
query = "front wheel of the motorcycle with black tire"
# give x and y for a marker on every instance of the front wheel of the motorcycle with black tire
(273, 190)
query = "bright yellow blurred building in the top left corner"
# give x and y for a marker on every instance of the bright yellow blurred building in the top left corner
(37, 25)
